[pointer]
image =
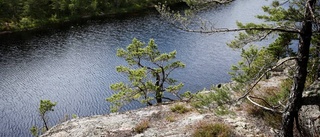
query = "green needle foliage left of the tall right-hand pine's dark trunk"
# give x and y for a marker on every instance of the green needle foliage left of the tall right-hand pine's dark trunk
(256, 61)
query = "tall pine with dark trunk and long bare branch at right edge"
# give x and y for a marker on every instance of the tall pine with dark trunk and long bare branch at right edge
(288, 20)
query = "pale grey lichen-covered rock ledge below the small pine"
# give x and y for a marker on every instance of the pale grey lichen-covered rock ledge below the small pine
(162, 123)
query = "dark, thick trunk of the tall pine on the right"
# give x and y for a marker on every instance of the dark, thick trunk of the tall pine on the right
(295, 99)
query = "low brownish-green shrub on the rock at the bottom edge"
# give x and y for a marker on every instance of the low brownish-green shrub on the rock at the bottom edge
(204, 129)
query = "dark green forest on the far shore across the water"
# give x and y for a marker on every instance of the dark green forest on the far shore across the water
(20, 15)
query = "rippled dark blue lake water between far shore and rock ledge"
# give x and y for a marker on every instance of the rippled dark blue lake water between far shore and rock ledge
(75, 66)
